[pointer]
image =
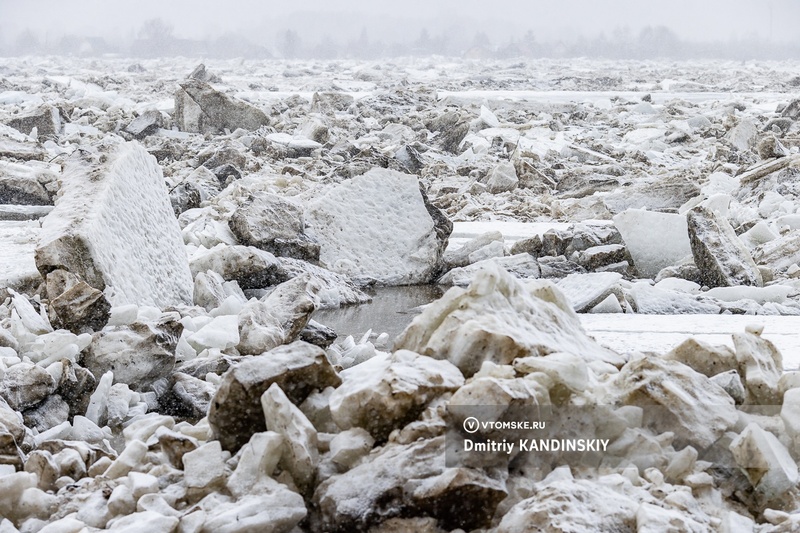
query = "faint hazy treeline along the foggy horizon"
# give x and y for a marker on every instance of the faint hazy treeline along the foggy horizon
(156, 38)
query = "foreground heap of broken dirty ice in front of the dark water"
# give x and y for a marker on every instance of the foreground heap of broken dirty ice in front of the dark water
(283, 437)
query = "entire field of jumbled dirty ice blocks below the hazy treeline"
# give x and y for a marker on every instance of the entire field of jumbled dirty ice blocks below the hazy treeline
(236, 409)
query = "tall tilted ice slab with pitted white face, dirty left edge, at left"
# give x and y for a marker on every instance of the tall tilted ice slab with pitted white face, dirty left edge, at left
(114, 227)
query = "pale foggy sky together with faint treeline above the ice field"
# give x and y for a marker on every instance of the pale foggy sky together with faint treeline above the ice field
(314, 28)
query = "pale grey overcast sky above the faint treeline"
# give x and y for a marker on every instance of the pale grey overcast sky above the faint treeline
(402, 21)
